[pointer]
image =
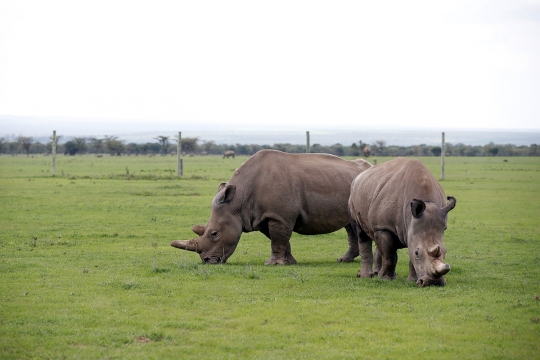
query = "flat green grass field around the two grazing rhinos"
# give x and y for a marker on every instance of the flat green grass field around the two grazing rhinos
(87, 271)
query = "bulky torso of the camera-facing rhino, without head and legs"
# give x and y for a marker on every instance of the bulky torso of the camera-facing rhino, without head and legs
(381, 196)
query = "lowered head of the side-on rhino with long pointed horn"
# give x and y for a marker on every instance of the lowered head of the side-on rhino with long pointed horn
(218, 239)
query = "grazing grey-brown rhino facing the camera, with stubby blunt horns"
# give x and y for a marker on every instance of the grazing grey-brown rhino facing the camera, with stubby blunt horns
(400, 204)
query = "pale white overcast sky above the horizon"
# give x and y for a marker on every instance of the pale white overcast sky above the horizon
(461, 64)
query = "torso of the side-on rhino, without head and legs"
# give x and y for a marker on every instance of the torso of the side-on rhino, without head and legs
(309, 192)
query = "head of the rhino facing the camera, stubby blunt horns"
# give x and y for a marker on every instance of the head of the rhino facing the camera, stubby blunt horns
(425, 242)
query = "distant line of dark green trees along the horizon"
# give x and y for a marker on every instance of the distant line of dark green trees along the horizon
(165, 145)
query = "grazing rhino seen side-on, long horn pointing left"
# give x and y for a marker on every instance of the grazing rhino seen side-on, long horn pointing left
(277, 193)
